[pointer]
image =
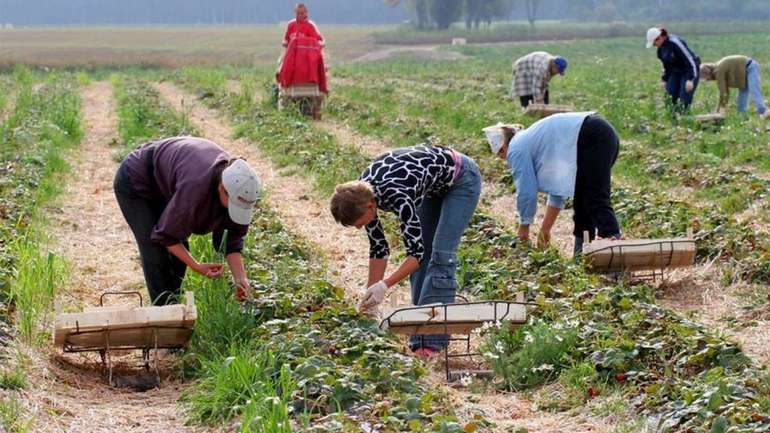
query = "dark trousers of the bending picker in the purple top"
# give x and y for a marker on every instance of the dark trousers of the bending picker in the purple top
(163, 272)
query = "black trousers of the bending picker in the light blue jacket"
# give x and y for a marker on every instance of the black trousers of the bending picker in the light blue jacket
(597, 150)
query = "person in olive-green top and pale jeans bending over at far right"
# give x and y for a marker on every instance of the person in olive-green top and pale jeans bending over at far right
(738, 72)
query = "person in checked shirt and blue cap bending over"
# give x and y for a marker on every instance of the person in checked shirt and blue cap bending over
(531, 75)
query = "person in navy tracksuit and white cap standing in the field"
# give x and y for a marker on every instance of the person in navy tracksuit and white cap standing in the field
(680, 67)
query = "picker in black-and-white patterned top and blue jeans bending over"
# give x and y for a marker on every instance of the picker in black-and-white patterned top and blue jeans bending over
(434, 191)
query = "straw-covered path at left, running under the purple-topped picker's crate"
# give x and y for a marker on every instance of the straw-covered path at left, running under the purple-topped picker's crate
(68, 393)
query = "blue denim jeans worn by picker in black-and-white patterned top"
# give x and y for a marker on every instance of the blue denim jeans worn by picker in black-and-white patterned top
(443, 221)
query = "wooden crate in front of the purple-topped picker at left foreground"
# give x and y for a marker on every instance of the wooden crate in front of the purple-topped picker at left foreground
(117, 327)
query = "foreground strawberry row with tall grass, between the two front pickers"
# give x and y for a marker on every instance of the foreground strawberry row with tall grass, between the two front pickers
(298, 357)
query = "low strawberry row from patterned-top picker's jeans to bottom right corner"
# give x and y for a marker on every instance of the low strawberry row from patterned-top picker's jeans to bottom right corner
(653, 355)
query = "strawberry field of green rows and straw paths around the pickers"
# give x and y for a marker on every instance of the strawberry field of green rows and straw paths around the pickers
(684, 354)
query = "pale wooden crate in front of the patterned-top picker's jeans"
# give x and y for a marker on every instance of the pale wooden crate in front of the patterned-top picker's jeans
(451, 318)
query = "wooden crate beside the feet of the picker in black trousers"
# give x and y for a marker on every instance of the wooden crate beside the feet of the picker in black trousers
(639, 254)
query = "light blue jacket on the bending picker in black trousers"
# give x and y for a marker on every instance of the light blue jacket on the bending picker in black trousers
(543, 158)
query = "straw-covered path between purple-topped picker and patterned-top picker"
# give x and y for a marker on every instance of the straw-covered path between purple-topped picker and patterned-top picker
(290, 196)
